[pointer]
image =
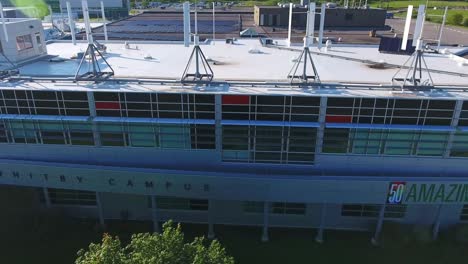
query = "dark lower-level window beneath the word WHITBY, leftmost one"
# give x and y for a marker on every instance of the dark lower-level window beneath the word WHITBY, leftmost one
(71, 197)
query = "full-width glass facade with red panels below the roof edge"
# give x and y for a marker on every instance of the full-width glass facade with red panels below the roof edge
(250, 128)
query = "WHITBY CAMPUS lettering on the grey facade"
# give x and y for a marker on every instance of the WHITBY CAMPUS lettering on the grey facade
(110, 181)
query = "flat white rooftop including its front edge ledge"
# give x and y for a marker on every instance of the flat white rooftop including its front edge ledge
(340, 66)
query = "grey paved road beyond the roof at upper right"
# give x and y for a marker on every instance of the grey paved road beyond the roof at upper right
(451, 35)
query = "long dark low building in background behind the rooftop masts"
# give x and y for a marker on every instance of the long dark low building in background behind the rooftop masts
(278, 16)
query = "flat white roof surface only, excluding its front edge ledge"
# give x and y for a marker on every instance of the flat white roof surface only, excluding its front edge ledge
(234, 62)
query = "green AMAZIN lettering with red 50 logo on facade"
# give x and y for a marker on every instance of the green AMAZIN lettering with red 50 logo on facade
(399, 193)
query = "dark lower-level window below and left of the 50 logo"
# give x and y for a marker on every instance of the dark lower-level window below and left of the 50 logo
(373, 210)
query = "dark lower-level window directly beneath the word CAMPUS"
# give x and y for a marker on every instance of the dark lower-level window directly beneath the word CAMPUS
(174, 203)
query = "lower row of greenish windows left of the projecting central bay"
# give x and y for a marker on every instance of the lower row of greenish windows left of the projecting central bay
(110, 134)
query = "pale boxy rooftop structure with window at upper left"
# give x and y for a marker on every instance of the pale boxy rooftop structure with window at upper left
(25, 40)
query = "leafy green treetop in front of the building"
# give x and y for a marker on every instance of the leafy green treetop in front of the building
(169, 247)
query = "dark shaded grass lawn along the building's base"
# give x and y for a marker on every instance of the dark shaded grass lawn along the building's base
(285, 246)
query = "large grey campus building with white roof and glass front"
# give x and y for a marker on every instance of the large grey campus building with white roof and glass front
(353, 151)
